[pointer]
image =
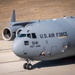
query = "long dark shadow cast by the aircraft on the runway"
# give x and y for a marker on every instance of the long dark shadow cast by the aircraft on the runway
(58, 62)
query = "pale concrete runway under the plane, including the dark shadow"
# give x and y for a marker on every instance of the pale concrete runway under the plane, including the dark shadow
(10, 64)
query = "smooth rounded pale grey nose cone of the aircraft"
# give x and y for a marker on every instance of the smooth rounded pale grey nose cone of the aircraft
(17, 47)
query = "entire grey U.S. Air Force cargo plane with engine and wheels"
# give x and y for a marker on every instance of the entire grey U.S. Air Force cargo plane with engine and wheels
(41, 39)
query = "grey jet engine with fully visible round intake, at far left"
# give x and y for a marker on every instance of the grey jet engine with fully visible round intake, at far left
(9, 33)
